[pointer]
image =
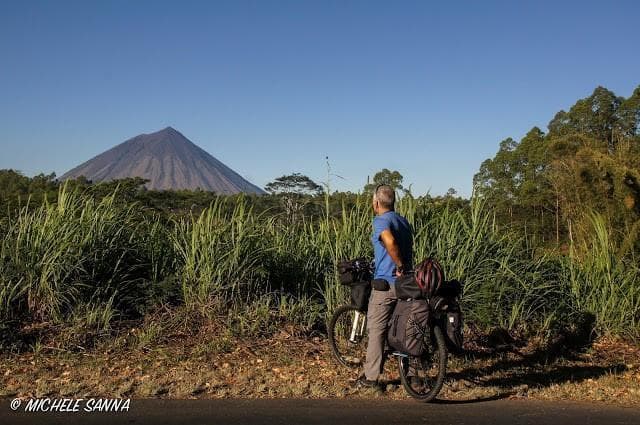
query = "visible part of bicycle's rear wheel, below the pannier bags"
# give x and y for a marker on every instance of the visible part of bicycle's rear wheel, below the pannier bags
(422, 377)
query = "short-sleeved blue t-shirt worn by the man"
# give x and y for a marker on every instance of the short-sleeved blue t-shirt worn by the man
(399, 226)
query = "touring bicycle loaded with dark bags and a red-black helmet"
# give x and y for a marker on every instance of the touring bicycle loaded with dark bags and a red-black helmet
(425, 325)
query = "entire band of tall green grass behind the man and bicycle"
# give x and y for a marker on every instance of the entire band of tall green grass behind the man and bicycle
(90, 262)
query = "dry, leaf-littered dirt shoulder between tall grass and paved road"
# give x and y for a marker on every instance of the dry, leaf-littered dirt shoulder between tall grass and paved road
(211, 365)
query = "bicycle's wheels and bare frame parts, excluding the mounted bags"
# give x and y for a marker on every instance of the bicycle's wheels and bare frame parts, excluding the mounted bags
(422, 377)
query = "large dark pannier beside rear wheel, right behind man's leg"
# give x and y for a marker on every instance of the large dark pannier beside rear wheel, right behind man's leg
(409, 326)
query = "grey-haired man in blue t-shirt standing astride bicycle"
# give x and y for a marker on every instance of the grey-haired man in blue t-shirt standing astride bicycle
(393, 254)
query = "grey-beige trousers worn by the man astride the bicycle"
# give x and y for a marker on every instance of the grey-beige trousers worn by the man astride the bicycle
(381, 304)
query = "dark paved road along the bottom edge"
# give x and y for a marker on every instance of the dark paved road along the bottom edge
(337, 412)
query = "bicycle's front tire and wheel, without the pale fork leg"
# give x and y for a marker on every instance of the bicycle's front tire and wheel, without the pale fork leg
(345, 352)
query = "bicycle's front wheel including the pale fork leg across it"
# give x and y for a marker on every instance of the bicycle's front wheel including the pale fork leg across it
(348, 336)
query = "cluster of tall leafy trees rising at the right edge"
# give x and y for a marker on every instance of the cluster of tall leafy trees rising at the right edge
(589, 160)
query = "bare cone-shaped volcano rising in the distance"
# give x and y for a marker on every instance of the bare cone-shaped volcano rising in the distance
(168, 160)
